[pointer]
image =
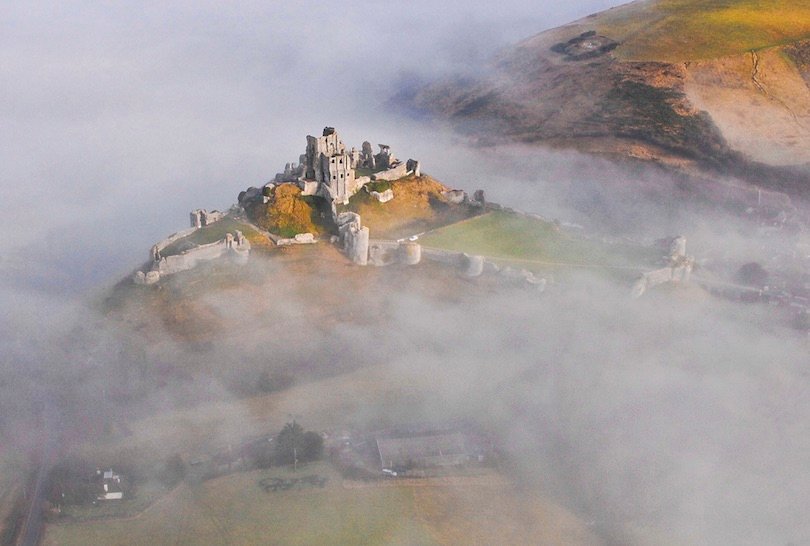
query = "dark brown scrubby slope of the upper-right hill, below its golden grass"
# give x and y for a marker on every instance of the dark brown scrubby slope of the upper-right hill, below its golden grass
(535, 95)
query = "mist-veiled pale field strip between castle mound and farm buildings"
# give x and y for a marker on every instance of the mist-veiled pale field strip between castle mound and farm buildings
(330, 403)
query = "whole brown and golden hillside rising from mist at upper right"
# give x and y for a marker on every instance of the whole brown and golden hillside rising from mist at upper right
(675, 82)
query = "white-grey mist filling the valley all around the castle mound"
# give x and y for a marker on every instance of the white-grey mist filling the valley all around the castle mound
(680, 417)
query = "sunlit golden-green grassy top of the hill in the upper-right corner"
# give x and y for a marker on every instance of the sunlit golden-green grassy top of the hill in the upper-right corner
(683, 30)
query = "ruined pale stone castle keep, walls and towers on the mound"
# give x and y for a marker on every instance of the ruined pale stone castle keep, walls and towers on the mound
(329, 171)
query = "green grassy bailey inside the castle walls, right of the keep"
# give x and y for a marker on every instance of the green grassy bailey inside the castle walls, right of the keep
(532, 242)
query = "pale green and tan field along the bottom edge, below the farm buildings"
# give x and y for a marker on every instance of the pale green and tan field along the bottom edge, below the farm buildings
(236, 509)
